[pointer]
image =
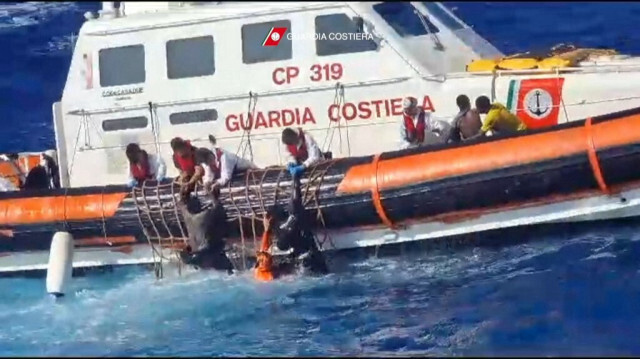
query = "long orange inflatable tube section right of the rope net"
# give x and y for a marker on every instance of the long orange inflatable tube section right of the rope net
(430, 166)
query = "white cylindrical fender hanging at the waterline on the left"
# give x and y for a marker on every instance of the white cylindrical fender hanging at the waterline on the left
(60, 266)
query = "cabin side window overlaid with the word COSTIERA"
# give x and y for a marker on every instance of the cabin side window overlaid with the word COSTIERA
(338, 34)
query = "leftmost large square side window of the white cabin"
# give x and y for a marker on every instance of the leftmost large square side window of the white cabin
(122, 65)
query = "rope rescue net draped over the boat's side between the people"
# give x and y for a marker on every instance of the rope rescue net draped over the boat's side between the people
(246, 200)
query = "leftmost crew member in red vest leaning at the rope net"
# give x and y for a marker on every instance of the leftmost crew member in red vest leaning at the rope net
(143, 166)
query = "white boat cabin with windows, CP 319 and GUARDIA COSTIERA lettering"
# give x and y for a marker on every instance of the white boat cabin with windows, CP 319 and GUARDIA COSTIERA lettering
(146, 72)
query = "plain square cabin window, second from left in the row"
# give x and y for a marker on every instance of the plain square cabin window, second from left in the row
(190, 57)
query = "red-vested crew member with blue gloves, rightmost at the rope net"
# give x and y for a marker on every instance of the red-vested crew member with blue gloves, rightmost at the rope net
(302, 151)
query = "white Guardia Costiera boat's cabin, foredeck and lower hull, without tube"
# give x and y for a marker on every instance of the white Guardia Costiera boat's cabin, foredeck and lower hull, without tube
(149, 71)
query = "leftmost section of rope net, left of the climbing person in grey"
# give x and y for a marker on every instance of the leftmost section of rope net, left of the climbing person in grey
(161, 222)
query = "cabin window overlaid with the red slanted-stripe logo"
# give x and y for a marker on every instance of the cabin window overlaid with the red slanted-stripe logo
(254, 35)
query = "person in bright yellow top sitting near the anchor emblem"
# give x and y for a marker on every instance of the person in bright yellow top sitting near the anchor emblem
(498, 120)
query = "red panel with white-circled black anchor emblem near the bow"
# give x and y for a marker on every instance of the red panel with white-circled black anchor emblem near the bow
(536, 101)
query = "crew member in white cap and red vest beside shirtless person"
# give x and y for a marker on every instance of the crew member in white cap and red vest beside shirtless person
(418, 128)
